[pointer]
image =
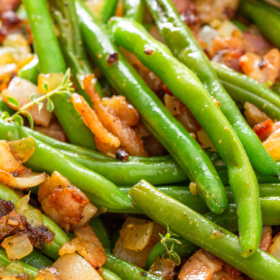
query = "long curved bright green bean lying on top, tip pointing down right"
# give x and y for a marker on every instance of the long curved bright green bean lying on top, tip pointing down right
(132, 36)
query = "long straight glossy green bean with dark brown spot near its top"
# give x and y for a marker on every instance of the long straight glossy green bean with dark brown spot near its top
(159, 121)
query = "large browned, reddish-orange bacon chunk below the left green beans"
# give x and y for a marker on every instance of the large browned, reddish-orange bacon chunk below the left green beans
(63, 202)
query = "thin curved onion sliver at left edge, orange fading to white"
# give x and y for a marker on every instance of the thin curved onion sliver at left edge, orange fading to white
(27, 179)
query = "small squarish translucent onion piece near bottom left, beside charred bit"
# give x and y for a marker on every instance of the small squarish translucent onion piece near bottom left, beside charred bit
(17, 246)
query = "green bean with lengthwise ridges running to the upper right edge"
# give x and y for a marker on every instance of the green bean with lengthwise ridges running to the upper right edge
(244, 89)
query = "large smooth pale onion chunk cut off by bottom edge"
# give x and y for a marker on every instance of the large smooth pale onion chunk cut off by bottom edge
(74, 267)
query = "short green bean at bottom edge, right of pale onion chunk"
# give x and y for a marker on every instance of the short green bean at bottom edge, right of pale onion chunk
(126, 270)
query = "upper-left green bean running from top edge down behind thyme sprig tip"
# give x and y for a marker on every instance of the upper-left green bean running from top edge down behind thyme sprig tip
(51, 61)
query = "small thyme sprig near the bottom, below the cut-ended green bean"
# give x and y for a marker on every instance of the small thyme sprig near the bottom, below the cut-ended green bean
(169, 241)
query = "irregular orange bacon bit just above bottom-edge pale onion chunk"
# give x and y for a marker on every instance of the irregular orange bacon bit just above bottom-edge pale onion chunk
(87, 245)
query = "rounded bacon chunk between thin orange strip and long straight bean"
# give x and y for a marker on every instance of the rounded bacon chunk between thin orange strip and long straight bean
(124, 110)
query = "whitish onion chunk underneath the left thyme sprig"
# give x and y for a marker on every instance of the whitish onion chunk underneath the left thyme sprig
(21, 90)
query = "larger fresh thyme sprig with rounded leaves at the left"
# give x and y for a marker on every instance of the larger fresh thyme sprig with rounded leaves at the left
(64, 89)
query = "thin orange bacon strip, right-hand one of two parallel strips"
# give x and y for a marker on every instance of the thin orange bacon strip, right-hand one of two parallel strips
(109, 119)
